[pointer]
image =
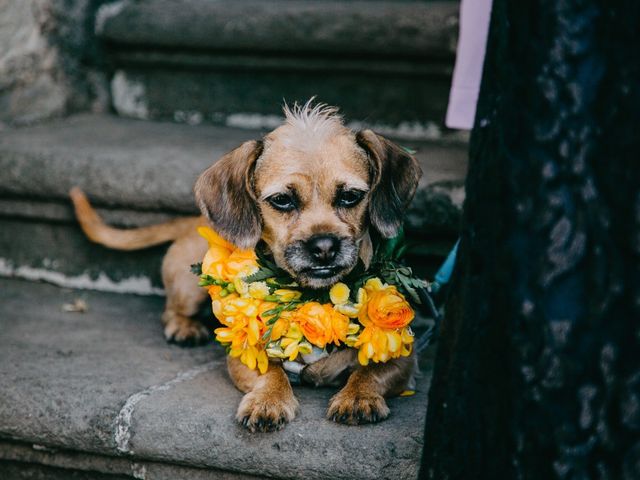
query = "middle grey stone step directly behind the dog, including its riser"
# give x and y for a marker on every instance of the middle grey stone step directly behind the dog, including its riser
(140, 173)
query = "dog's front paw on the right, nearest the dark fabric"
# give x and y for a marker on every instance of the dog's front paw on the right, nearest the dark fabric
(355, 408)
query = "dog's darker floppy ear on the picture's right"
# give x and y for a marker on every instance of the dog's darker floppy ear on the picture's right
(395, 174)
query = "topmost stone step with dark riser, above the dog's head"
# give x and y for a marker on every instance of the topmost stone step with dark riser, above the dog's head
(233, 62)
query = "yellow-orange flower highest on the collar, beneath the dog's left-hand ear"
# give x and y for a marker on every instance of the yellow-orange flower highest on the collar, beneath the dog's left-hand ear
(223, 260)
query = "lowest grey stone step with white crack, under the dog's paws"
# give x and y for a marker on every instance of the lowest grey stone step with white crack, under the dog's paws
(66, 379)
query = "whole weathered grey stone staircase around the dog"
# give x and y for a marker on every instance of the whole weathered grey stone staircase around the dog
(71, 383)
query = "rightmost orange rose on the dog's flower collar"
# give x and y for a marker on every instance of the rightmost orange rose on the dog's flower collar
(386, 308)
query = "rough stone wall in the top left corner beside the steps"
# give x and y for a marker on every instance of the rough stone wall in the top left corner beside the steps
(49, 62)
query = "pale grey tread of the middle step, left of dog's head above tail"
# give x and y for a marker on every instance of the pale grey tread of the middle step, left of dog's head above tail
(118, 162)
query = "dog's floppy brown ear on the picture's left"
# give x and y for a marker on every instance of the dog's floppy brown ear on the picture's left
(225, 195)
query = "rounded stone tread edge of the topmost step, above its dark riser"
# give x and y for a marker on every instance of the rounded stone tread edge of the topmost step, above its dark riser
(419, 29)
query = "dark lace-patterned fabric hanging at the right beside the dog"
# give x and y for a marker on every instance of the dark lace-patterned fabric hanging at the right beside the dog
(537, 373)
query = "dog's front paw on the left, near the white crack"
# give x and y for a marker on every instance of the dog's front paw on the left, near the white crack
(259, 412)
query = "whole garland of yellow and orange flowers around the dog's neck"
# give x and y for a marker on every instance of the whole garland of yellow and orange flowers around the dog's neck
(252, 332)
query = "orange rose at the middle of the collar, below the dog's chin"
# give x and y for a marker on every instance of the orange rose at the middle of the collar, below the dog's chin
(321, 324)
